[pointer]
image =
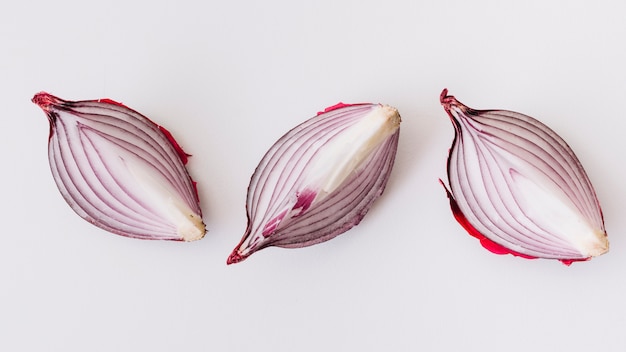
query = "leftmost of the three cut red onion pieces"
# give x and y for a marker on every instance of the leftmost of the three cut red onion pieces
(120, 171)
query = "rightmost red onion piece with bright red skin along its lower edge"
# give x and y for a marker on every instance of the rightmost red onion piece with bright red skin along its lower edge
(518, 187)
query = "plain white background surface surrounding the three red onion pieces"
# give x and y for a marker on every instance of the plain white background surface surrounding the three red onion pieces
(227, 79)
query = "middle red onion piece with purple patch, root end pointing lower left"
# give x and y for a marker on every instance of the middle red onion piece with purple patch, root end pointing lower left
(320, 179)
